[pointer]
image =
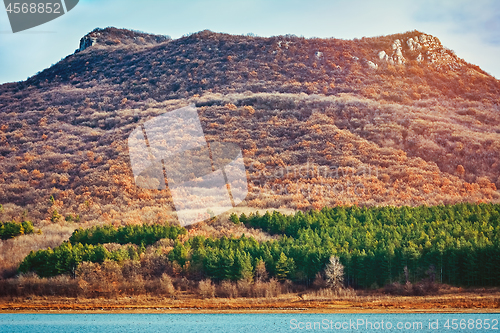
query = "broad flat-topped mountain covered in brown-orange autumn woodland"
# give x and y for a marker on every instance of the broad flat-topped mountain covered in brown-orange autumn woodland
(390, 120)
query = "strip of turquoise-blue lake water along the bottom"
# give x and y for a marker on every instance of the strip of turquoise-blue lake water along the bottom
(219, 323)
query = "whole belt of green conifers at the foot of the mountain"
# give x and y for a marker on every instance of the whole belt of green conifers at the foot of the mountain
(457, 244)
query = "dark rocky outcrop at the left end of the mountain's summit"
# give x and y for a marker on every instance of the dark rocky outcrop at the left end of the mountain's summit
(118, 37)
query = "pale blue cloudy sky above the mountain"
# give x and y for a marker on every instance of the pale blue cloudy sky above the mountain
(470, 28)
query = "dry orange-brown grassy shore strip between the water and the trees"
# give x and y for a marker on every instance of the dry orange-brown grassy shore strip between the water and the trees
(290, 303)
